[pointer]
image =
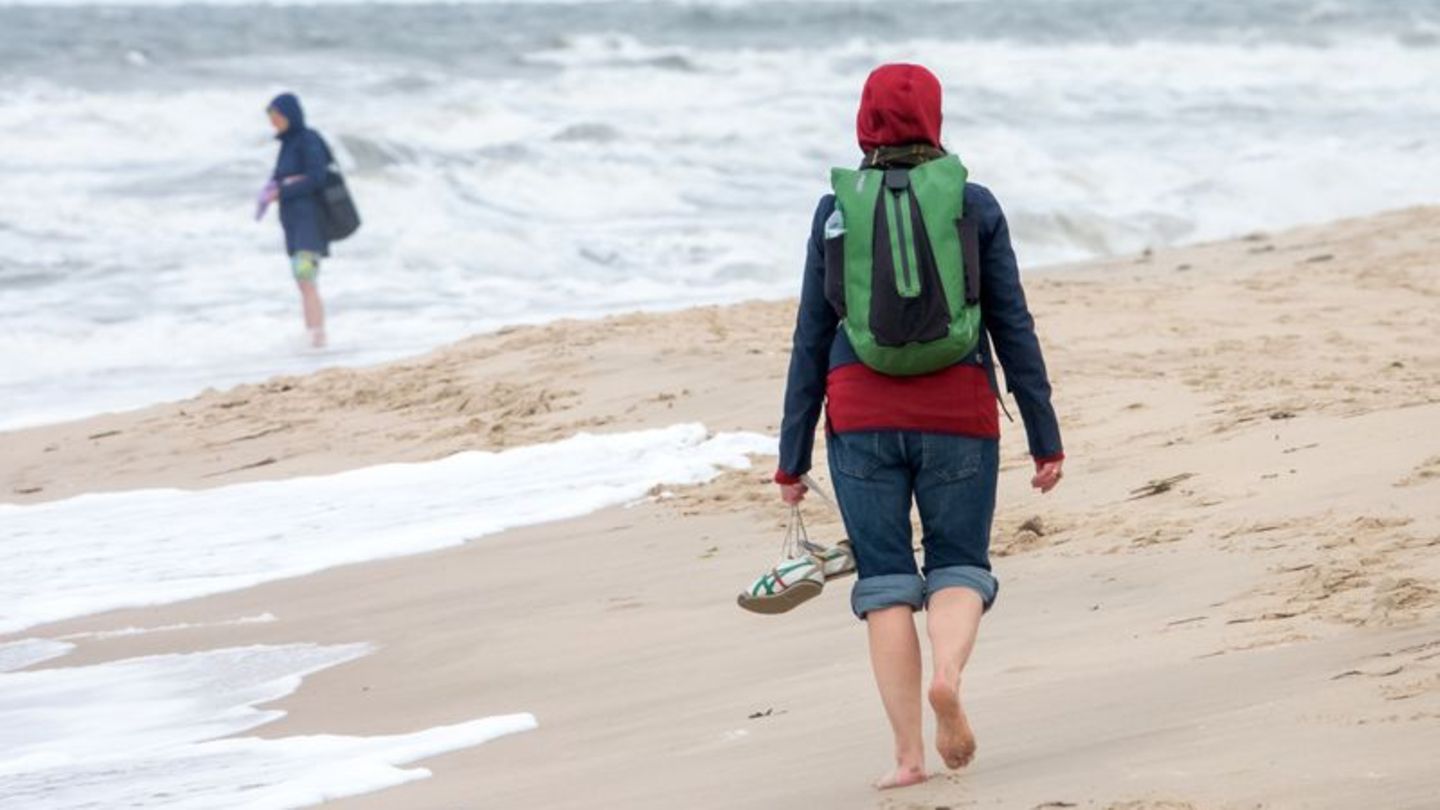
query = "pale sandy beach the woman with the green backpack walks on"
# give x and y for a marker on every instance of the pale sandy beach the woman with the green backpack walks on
(1232, 602)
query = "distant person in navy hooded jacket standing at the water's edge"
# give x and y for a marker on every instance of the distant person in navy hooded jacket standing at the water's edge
(297, 182)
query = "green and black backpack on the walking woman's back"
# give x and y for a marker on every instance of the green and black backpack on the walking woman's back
(902, 266)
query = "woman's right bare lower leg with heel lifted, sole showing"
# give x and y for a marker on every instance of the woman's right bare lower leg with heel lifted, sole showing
(954, 620)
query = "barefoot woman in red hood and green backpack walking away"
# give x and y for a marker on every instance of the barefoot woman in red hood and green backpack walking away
(911, 293)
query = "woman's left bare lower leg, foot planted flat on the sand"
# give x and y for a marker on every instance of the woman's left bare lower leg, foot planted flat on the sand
(895, 655)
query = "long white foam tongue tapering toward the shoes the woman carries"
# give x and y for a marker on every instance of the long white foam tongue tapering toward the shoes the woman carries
(107, 551)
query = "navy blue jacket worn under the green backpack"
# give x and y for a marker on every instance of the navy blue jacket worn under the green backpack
(1010, 331)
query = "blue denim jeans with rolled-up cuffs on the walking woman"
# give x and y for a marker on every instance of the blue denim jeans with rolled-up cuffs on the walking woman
(951, 479)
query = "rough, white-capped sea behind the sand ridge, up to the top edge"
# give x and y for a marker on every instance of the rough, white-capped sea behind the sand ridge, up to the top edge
(518, 162)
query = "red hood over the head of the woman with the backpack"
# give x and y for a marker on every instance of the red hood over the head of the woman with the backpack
(901, 106)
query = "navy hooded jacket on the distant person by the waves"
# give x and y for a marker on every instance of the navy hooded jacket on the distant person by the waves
(302, 152)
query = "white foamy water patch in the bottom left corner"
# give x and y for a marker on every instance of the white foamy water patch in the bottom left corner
(159, 733)
